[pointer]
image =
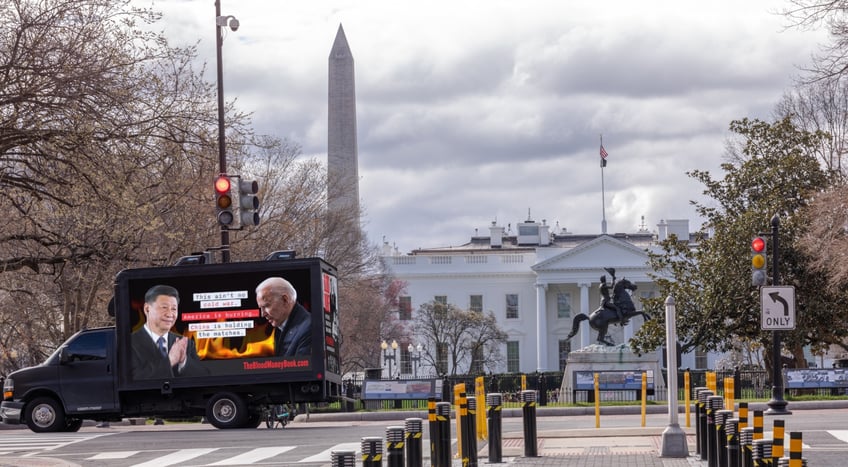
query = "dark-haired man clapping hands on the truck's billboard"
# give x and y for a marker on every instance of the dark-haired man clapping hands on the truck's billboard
(156, 351)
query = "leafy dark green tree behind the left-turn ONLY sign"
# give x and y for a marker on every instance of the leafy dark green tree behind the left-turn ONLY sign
(771, 171)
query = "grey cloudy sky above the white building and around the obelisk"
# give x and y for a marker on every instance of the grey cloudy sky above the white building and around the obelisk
(477, 111)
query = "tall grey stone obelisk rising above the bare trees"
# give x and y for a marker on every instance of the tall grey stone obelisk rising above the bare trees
(342, 157)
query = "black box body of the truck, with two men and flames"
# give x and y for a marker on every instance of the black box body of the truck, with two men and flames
(227, 320)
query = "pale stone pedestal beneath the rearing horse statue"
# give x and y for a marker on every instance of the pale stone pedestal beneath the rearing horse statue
(621, 369)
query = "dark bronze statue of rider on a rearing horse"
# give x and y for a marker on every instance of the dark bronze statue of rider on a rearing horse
(617, 308)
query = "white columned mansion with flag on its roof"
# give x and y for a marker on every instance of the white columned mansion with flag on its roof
(535, 281)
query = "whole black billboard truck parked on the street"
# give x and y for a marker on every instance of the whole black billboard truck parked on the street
(222, 341)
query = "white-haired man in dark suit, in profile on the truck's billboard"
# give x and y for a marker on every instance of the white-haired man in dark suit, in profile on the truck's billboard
(277, 301)
